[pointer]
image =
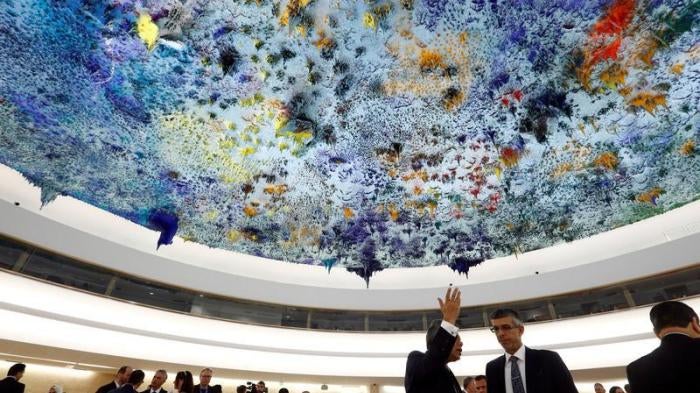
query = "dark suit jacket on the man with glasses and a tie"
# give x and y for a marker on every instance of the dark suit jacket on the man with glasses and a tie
(545, 372)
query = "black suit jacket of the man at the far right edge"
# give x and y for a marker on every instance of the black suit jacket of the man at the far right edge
(672, 367)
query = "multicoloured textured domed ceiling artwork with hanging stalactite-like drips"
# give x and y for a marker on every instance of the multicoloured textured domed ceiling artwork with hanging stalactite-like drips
(363, 135)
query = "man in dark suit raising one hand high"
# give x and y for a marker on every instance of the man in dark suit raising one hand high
(428, 372)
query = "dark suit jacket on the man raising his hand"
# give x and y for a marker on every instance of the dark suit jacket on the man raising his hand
(428, 372)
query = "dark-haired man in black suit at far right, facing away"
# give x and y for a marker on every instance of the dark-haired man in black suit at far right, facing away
(674, 365)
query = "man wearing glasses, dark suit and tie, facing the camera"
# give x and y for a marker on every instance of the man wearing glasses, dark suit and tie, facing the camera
(522, 369)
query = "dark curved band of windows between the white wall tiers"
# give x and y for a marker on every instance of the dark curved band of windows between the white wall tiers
(35, 262)
